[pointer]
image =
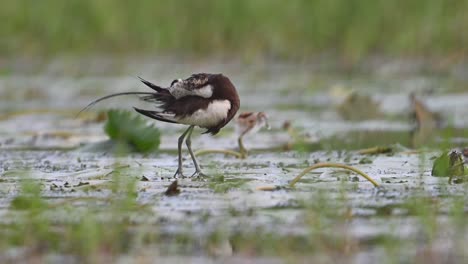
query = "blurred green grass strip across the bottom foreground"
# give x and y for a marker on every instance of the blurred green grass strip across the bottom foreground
(108, 228)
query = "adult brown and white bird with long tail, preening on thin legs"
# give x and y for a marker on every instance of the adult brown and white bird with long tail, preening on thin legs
(205, 100)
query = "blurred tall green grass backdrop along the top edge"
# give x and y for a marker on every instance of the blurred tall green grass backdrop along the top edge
(350, 29)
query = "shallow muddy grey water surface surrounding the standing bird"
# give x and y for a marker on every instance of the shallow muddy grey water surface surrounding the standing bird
(41, 137)
